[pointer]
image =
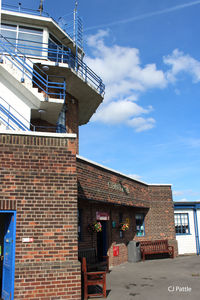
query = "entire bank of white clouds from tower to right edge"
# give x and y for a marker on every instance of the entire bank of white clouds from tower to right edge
(126, 79)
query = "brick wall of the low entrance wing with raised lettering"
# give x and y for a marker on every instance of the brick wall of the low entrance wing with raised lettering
(95, 194)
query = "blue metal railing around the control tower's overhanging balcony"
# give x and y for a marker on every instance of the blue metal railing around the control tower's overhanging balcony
(58, 55)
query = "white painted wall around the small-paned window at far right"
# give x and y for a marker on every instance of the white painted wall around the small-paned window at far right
(187, 243)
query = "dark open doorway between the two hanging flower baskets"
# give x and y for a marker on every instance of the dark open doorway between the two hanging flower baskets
(102, 246)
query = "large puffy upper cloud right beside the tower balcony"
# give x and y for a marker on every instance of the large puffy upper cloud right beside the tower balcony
(120, 68)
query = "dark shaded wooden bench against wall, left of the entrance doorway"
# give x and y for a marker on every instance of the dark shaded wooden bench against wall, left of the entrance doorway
(93, 263)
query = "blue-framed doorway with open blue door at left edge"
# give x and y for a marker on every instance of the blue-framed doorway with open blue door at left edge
(7, 254)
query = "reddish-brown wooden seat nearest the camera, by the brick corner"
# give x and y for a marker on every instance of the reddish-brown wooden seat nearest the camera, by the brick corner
(93, 279)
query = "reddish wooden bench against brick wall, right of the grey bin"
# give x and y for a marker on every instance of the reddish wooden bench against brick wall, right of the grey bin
(156, 247)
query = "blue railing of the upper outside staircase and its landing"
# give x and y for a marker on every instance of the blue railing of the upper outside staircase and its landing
(44, 82)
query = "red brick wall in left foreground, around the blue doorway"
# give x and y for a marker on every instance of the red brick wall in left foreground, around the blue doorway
(39, 180)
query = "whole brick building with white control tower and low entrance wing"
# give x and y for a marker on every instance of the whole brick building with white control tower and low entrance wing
(48, 194)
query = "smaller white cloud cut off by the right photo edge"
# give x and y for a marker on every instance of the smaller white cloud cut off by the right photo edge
(179, 63)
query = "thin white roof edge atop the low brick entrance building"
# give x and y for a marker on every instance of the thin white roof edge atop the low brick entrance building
(119, 173)
